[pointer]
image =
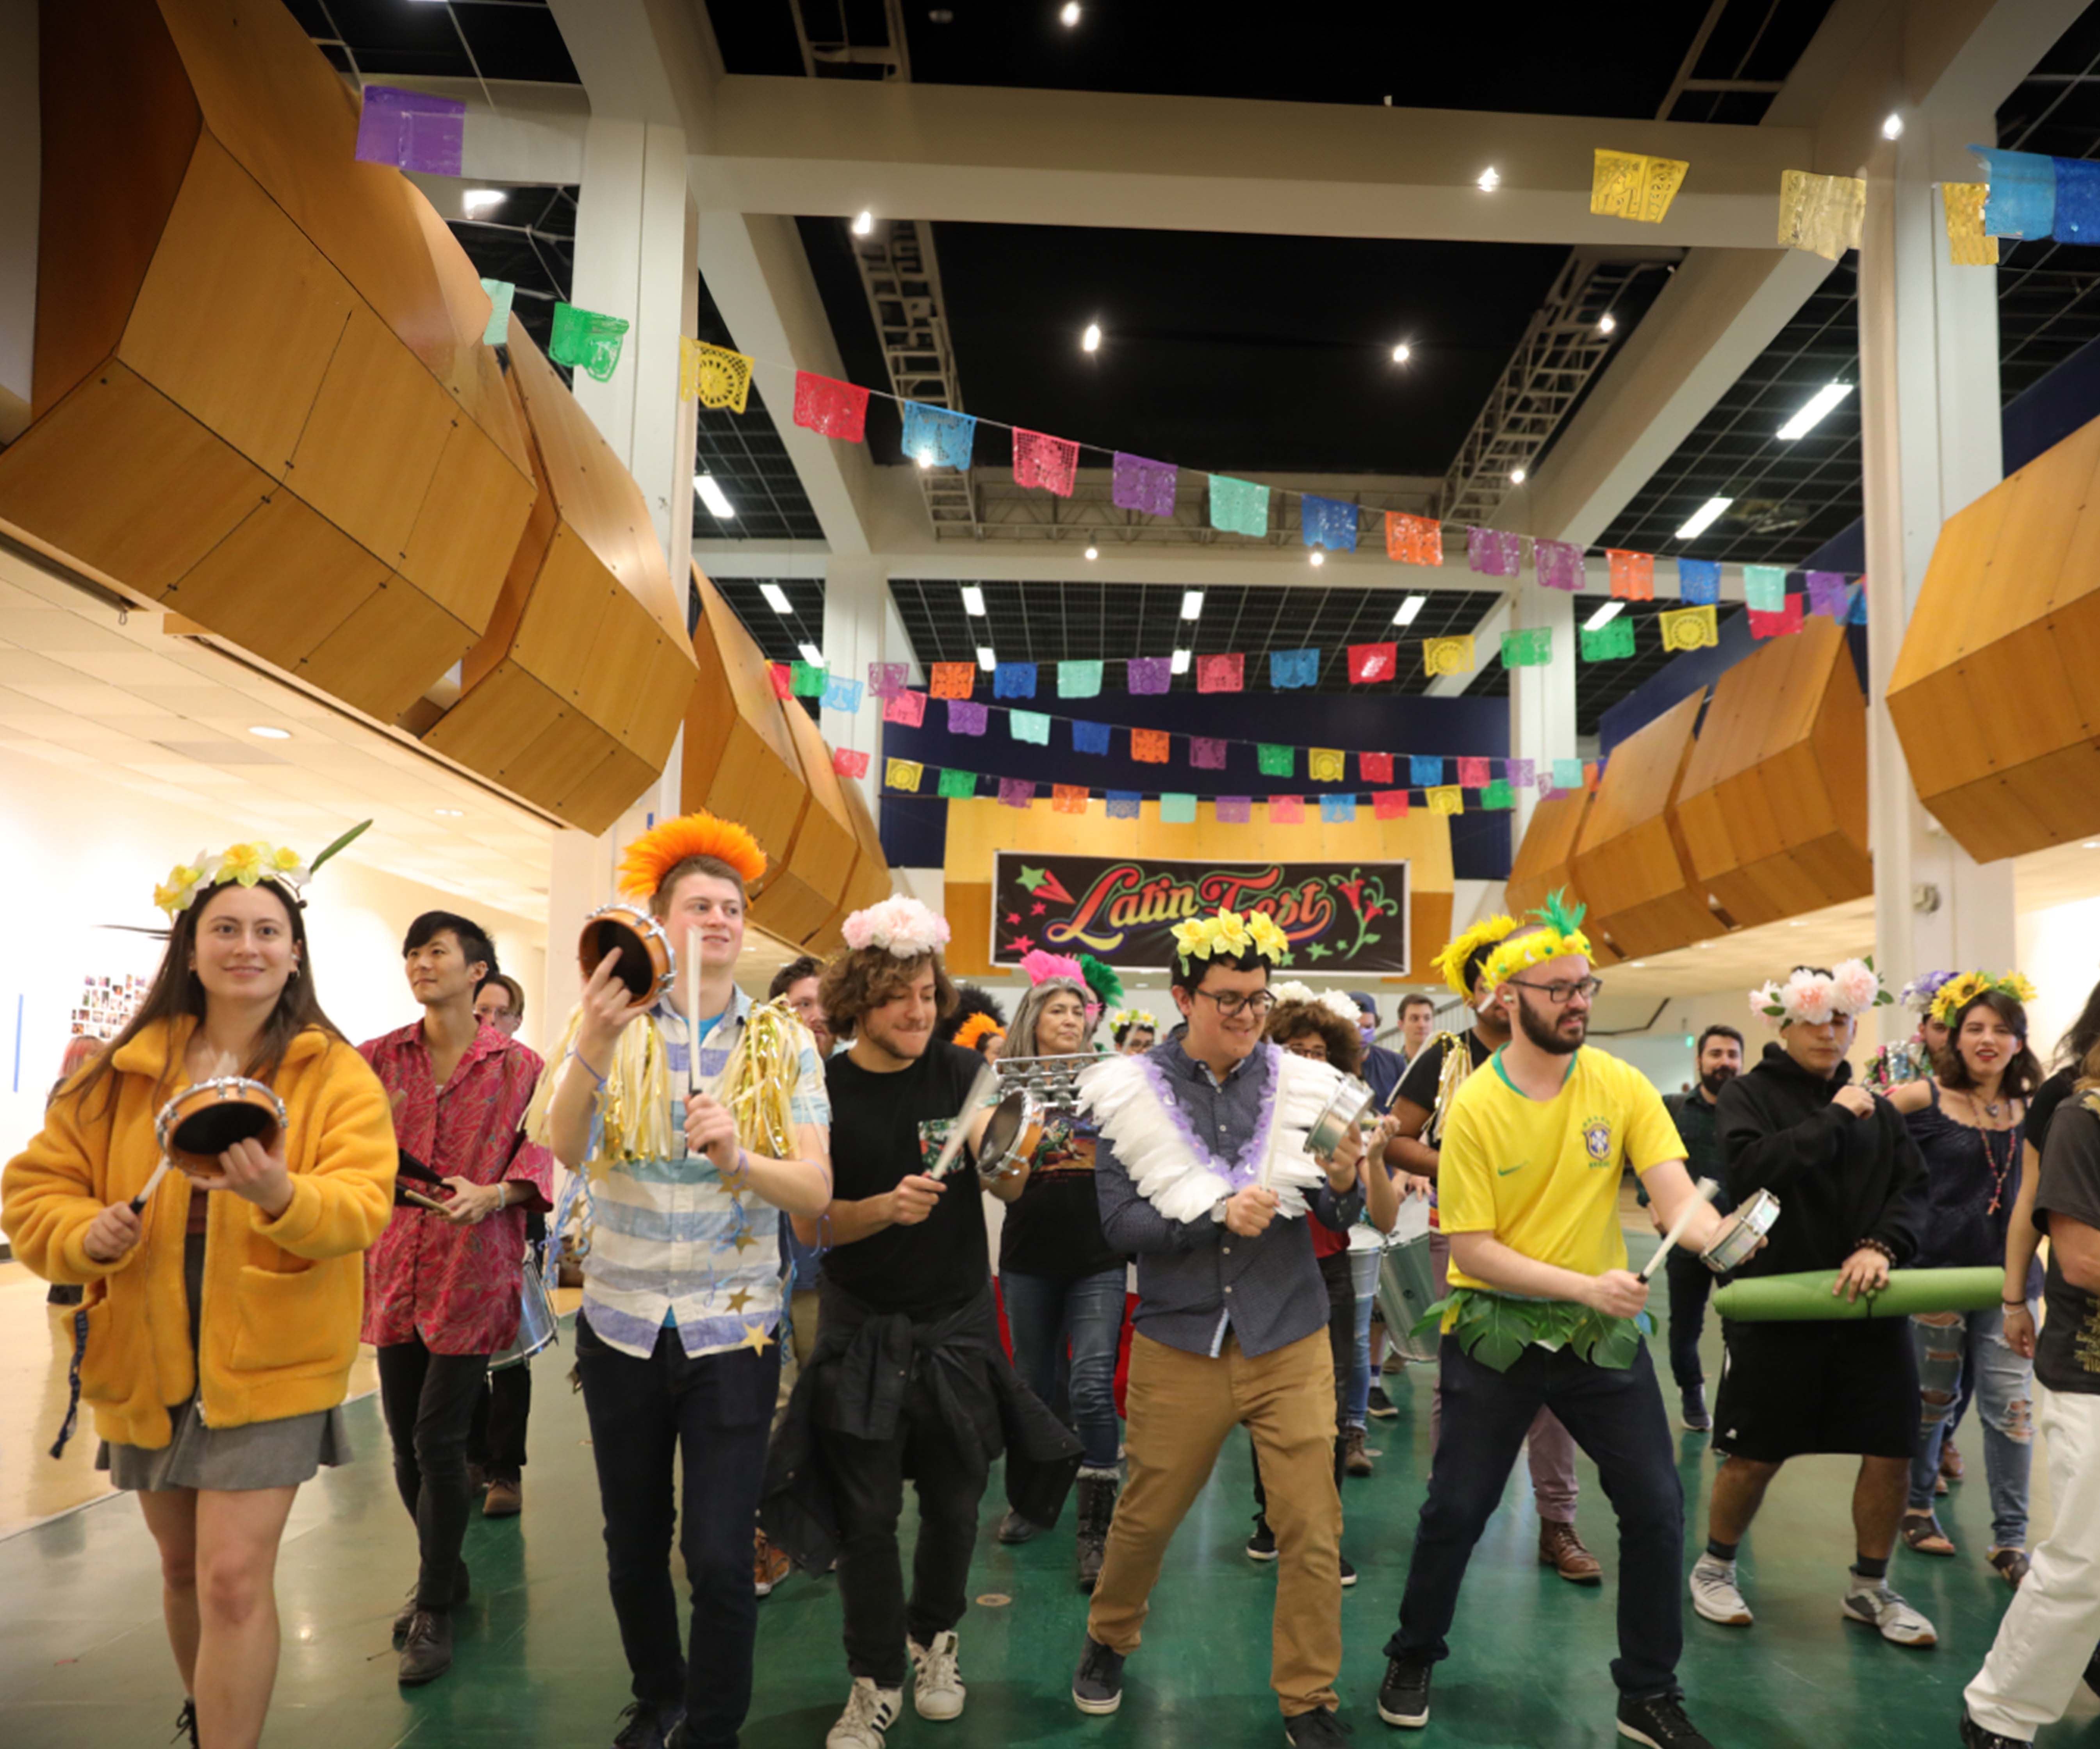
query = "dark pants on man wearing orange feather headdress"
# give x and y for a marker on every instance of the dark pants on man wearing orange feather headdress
(648, 1418)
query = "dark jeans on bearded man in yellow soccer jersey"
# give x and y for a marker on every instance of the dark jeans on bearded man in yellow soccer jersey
(1616, 1414)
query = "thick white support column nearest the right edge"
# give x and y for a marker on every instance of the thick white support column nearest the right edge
(1931, 436)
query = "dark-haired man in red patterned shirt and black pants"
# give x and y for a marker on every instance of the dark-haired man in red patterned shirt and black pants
(442, 1290)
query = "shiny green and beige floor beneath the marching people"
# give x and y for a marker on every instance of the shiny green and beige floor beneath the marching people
(83, 1658)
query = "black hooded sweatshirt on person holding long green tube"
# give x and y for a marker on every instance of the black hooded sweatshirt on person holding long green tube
(1839, 1179)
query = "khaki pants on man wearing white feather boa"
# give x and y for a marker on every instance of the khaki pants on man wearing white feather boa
(1181, 1410)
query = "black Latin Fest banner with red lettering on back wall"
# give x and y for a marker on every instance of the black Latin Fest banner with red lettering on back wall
(1339, 916)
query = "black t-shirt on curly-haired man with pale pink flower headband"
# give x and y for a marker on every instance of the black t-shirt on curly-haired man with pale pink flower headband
(885, 1129)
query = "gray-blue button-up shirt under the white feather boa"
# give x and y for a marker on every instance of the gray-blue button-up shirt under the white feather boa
(1198, 1280)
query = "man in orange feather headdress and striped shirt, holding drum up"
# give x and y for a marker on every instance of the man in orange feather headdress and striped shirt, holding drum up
(690, 1110)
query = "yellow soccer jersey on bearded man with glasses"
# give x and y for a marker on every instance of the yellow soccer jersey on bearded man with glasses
(1545, 1175)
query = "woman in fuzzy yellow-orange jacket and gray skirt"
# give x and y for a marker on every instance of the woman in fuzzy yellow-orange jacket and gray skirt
(222, 1315)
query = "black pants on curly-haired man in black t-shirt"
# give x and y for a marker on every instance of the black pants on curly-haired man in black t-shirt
(868, 1492)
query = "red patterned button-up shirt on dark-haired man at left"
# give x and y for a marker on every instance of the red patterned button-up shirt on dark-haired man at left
(457, 1286)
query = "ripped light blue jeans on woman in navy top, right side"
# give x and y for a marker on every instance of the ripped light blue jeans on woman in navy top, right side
(1969, 1351)
